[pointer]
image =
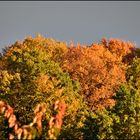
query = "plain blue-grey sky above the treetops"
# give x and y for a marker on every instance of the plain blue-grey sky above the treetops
(85, 22)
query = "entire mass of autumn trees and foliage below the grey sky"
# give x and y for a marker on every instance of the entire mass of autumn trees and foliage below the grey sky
(52, 90)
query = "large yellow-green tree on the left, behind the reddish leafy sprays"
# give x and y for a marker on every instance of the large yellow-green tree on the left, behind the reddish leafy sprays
(29, 76)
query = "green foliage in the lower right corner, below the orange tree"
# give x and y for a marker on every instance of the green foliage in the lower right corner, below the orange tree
(123, 120)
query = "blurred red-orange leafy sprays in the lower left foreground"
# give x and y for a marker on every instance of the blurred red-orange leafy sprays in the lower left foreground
(34, 129)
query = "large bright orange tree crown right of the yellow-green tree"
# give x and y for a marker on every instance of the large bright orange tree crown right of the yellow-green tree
(99, 69)
